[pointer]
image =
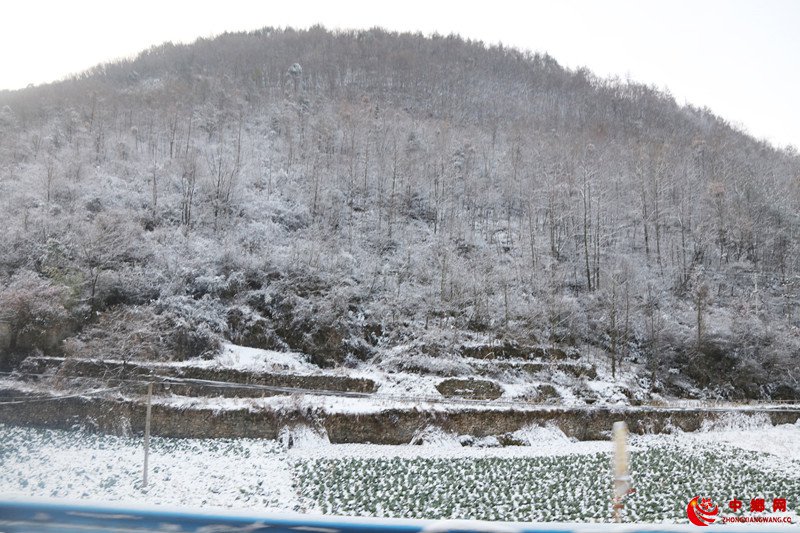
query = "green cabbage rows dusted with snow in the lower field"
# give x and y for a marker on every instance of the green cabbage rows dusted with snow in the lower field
(563, 488)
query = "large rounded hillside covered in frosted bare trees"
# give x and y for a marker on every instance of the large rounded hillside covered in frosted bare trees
(394, 199)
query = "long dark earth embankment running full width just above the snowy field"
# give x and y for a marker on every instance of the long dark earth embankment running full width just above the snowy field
(389, 426)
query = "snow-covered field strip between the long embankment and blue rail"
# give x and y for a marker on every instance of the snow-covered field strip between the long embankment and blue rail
(266, 475)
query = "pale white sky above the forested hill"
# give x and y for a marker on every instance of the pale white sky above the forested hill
(741, 58)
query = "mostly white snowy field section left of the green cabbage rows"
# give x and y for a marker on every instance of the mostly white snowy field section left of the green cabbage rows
(191, 472)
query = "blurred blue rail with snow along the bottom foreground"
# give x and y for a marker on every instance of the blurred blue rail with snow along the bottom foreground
(68, 517)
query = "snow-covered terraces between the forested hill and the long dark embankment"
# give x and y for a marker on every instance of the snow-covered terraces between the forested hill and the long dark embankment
(396, 389)
